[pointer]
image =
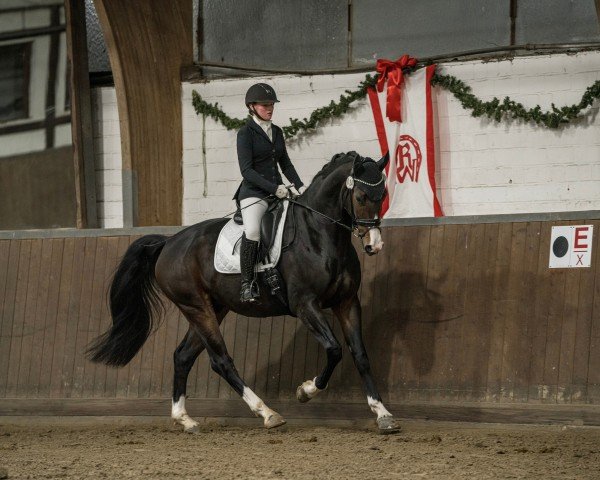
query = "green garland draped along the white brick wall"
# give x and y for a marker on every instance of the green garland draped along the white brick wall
(494, 109)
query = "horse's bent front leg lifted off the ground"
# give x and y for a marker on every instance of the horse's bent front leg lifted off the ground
(315, 320)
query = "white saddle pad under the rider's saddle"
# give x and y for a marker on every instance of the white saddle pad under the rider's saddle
(227, 251)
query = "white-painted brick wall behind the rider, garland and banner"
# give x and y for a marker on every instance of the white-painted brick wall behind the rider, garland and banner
(483, 167)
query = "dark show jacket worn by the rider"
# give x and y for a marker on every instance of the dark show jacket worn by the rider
(258, 158)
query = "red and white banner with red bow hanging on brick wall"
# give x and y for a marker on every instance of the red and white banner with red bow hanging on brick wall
(406, 131)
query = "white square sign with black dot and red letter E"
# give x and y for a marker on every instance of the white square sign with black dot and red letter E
(571, 247)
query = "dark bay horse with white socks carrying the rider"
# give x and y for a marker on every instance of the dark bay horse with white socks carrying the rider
(320, 268)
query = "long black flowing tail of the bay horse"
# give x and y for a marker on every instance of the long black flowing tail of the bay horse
(134, 304)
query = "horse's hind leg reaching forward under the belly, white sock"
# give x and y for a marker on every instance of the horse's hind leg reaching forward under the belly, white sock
(204, 321)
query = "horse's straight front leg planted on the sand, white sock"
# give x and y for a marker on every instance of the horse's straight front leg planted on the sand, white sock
(349, 316)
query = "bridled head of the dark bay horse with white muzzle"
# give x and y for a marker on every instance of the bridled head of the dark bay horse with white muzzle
(366, 183)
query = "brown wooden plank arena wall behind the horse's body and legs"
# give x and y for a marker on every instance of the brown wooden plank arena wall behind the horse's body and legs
(462, 319)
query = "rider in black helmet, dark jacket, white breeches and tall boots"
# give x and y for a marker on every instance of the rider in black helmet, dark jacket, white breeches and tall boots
(260, 147)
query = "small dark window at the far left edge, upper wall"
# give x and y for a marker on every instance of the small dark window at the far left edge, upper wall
(14, 81)
